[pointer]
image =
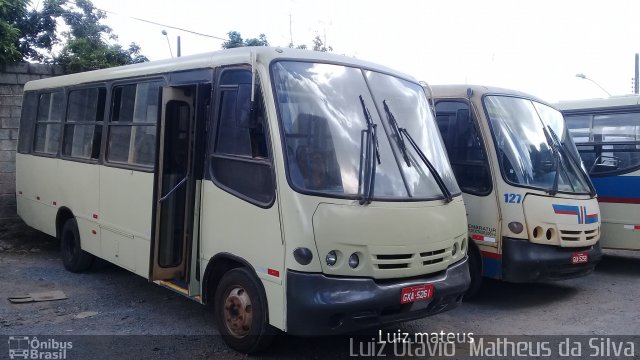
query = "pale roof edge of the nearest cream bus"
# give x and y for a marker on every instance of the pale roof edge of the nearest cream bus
(242, 55)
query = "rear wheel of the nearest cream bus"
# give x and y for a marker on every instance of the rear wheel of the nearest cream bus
(73, 257)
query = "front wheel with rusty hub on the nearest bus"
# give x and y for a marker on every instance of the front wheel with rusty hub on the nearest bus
(241, 312)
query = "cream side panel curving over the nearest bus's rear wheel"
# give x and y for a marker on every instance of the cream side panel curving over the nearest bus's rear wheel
(80, 194)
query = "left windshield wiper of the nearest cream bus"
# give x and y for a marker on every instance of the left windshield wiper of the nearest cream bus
(368, 144)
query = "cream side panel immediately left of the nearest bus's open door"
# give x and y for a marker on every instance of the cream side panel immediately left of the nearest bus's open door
(126, 198)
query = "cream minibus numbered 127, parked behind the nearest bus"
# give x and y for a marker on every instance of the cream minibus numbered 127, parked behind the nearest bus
(532, 211)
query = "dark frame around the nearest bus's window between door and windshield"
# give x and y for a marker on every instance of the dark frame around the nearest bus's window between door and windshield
(210, 173)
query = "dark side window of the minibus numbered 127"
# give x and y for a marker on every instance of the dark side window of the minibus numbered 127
(464, 146)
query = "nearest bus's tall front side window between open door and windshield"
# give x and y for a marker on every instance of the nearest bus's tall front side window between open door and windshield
(240, 160)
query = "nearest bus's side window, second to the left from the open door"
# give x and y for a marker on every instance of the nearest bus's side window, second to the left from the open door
(83, 124)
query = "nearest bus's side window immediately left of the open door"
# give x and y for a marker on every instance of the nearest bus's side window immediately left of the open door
(132, 127)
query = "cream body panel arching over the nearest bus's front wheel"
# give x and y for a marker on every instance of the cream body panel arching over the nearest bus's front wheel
(235, 226)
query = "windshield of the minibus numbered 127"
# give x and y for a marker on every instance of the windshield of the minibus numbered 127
(533, 145)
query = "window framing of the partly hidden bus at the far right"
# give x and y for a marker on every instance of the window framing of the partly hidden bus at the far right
(592, 113)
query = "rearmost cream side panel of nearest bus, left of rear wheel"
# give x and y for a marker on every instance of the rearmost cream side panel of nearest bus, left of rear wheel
(36, 179)
